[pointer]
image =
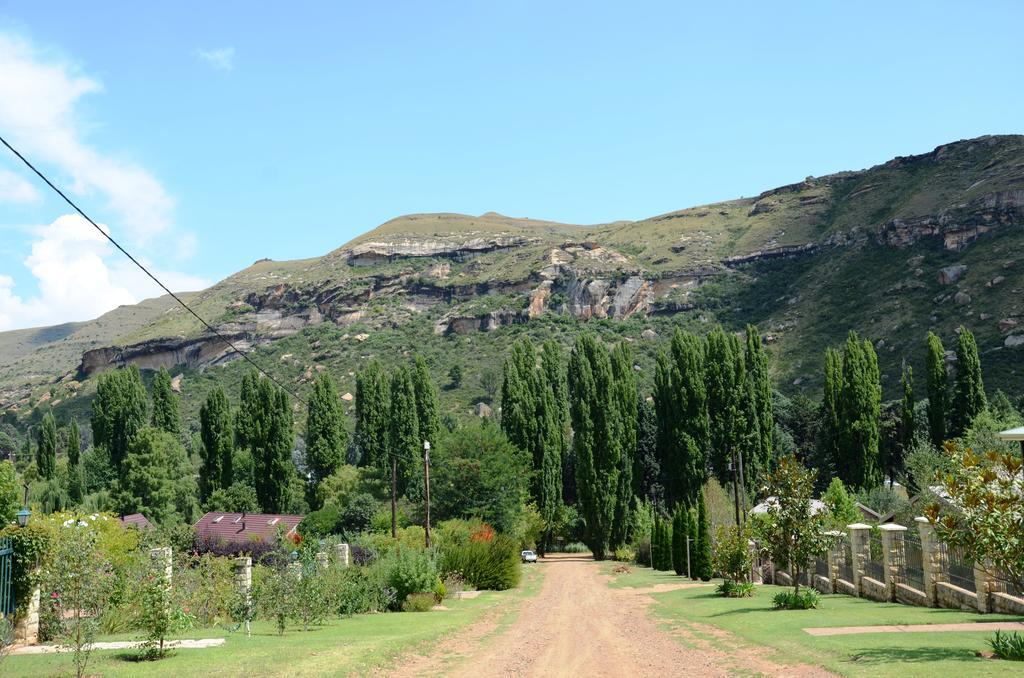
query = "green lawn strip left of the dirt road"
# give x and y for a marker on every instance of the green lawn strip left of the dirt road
(342, 647)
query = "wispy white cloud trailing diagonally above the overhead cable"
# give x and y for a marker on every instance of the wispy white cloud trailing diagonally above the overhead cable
(38, 96)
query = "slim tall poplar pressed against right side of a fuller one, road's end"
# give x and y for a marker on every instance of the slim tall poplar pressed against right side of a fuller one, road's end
(625, 402)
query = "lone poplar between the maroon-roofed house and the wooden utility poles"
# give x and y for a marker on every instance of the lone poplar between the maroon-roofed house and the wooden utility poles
(326, 436)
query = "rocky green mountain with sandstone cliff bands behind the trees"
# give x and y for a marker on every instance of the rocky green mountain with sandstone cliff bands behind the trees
(920, 243)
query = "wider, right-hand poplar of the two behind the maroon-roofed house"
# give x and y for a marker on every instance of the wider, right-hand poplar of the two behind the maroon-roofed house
(264, 427)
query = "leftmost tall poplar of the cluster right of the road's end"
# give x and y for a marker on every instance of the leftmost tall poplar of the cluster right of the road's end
(681, 405)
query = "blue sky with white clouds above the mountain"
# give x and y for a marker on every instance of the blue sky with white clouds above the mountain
(208, 136)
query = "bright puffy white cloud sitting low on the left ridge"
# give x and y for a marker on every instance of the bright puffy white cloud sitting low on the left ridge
(80, 276)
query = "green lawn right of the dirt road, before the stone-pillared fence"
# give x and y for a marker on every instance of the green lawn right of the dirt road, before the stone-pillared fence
(753, 621)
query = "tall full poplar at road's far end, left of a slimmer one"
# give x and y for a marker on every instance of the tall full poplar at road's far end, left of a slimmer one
(598, 444)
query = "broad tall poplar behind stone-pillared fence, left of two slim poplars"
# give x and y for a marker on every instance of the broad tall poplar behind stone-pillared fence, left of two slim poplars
(858, 463)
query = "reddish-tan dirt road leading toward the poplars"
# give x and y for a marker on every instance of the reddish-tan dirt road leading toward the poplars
(579, 626)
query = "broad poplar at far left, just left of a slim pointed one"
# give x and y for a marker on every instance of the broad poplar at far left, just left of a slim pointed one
(119, 411)
